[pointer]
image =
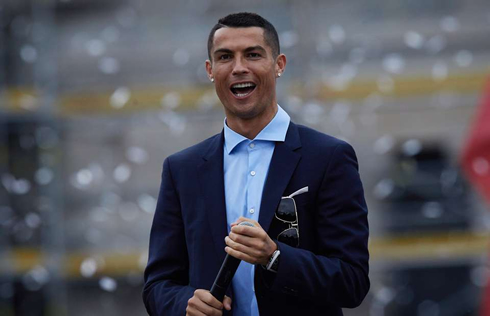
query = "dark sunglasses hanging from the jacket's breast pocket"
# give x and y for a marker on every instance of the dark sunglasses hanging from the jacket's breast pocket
(286, 212)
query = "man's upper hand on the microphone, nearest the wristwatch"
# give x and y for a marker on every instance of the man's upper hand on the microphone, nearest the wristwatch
(250, 244)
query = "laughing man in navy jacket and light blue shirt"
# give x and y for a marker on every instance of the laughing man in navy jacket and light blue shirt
(242, 174)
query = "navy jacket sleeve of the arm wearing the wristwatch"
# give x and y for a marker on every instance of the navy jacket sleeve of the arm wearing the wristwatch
(337, 273)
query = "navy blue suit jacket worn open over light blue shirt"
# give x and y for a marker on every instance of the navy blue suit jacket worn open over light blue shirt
(329, 269)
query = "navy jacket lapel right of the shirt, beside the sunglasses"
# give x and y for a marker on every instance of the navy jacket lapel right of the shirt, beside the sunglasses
(283, 164)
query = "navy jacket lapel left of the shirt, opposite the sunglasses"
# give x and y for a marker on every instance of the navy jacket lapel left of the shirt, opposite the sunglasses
(212, 185)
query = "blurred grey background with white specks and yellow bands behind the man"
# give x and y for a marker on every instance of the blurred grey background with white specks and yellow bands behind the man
(94, 94)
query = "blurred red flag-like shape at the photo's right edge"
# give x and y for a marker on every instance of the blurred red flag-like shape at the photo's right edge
(476, 165)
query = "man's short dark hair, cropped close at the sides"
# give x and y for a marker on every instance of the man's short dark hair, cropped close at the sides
(247, 19)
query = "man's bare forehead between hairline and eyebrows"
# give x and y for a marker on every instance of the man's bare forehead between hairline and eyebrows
(236, 38)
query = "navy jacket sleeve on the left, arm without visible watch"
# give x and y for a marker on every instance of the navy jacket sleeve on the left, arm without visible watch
(166, 289)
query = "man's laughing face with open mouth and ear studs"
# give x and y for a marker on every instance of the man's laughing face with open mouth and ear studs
(244, 72)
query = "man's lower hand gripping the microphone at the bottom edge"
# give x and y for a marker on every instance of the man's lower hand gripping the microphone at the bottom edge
(204, 303)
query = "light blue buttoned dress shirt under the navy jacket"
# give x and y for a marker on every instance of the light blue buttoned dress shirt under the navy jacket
(246, 163)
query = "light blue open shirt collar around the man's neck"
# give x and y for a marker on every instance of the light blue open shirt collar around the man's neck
(274, 131)
